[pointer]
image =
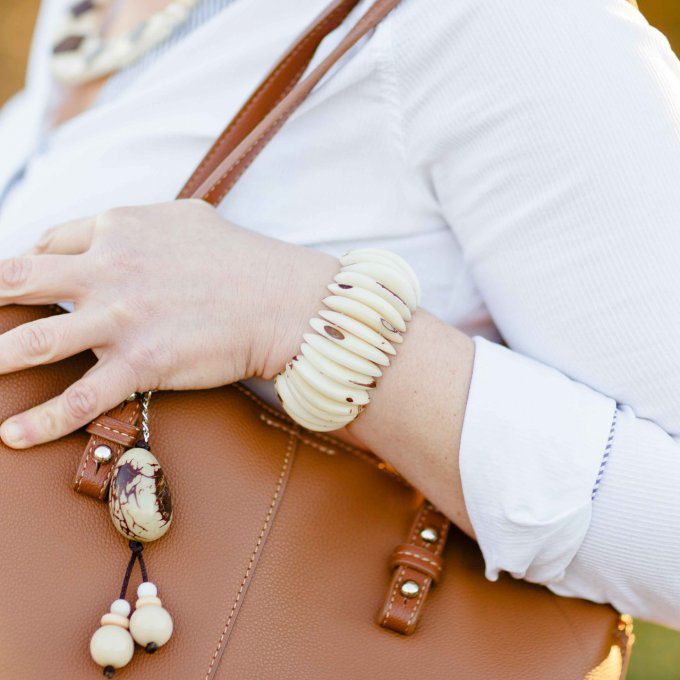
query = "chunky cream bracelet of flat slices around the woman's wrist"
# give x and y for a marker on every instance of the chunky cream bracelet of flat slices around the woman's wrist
(328, 383)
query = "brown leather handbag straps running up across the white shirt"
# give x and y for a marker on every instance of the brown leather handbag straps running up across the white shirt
(275, 100)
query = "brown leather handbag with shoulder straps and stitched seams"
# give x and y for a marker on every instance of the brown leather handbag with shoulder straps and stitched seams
(290, 549)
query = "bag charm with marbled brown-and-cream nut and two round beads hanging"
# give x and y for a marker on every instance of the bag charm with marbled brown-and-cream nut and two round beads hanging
(140, 506)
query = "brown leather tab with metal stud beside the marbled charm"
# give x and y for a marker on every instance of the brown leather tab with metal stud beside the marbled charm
(112, 432)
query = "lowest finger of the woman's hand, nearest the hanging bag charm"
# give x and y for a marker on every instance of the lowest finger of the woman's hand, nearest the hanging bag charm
(100, 389)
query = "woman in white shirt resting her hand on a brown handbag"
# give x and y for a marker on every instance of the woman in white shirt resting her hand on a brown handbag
(523, 158)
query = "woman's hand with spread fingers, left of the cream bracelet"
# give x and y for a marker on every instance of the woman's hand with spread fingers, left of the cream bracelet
(169, 296)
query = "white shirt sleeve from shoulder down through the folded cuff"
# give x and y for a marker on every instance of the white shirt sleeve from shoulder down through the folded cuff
(550, 133)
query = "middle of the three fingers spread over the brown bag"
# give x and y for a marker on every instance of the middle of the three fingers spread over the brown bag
(50, 339)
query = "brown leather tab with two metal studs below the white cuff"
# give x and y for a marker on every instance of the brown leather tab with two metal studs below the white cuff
(417, 565)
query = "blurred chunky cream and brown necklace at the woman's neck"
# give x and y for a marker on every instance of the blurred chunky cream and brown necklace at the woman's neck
(81, 53)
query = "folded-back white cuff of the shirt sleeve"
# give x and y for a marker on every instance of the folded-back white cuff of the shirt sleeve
(532, 445)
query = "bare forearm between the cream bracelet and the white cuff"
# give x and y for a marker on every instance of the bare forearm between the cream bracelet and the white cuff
(415, 417)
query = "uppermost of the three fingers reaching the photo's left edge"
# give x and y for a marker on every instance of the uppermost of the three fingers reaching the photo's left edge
(42, 279)
